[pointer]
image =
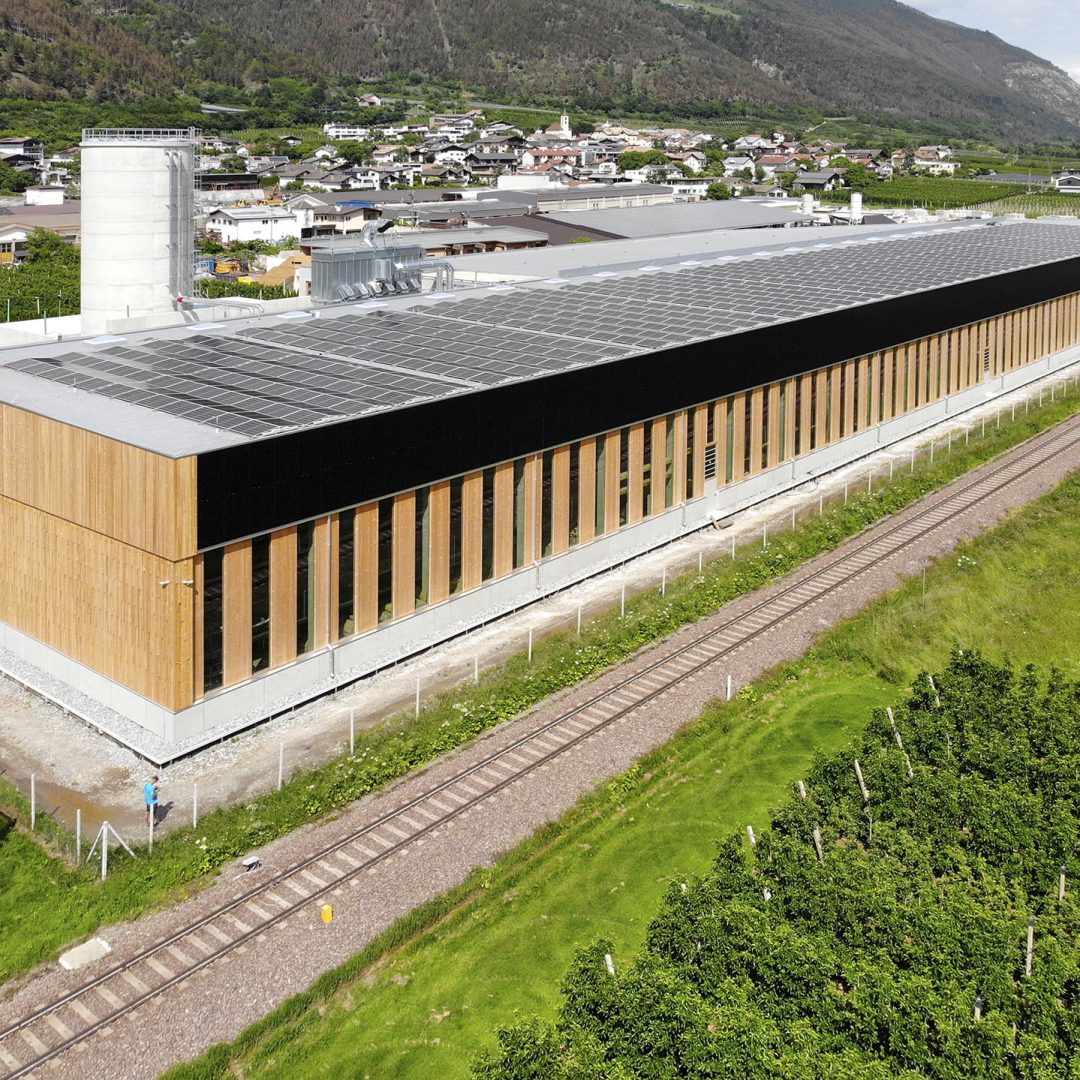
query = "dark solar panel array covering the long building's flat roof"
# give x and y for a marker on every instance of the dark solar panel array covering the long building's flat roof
(286, 374)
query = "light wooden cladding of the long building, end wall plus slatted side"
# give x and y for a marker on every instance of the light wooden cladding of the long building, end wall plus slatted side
(101, 538)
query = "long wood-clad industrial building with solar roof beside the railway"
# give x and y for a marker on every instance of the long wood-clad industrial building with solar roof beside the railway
(206, 523)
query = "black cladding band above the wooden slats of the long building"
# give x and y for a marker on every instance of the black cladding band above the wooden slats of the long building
(267, 484)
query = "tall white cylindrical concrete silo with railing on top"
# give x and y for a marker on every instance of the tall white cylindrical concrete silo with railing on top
(138, 224)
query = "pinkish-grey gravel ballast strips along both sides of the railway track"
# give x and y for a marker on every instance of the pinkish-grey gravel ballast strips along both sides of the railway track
(218, 1004)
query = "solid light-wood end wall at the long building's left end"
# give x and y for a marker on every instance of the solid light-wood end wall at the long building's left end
(100, 552)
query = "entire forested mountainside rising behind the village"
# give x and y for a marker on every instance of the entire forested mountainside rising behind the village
(614, 57)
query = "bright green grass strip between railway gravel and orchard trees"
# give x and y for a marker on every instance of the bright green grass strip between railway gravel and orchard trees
(602, 871)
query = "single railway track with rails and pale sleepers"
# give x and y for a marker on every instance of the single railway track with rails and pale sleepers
(44, 1035)
